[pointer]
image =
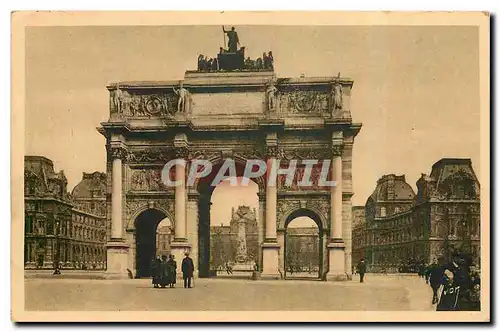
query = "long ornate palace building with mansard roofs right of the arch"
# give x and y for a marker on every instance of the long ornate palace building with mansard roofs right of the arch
(398, 229)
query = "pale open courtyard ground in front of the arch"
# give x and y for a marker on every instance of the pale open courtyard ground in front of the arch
(377, 293)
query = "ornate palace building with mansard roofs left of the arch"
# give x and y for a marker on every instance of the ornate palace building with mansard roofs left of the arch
(59, 226)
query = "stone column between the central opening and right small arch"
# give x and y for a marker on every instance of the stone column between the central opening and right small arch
(271, 247)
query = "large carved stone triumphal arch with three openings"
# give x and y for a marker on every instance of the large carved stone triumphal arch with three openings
(240, 112)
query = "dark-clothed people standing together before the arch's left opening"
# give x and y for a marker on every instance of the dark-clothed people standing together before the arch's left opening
(164, 271)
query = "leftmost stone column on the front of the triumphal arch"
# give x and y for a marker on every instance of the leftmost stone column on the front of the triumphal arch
(117, 248)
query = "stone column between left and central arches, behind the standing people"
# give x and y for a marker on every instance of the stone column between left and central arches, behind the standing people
(180, 244)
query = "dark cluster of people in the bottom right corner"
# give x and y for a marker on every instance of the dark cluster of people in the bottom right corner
(454, 285)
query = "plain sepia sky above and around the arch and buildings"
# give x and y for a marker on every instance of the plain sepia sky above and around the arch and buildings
(416, 89)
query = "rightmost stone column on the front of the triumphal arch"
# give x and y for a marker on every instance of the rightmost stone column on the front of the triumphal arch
(336, 247)
